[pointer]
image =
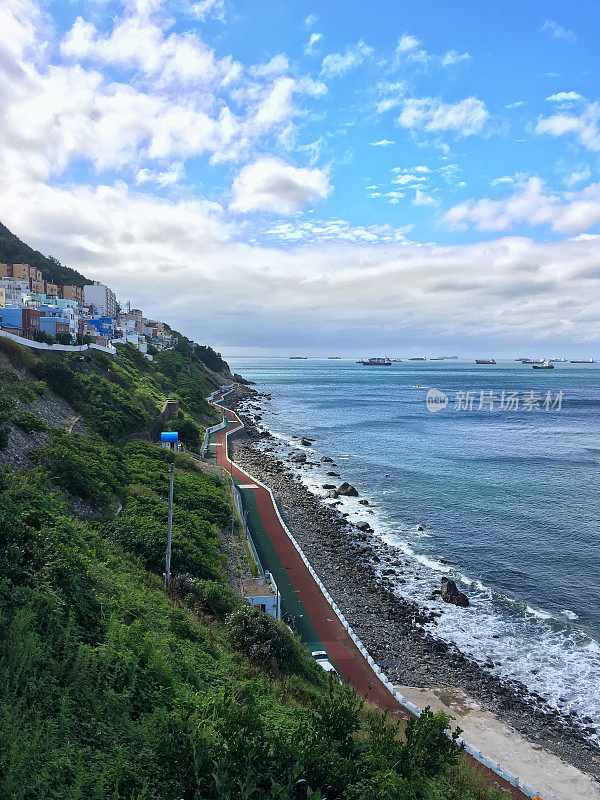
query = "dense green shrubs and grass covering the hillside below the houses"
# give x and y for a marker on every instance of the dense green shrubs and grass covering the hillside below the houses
(111, 687)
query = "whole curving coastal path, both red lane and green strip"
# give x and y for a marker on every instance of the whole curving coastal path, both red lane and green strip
(318, 624)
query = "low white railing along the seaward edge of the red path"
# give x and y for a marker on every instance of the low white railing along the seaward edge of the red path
(508, 776)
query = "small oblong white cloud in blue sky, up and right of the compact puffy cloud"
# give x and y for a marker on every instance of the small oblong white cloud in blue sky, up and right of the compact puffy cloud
(466, 117)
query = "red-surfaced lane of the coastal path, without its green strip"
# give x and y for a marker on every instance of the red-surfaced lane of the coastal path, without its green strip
(344, 653)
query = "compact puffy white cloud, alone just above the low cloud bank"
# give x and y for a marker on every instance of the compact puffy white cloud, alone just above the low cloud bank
(269, 184)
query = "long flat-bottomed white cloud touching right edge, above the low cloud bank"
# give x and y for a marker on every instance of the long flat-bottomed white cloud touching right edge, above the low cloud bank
(532, 204)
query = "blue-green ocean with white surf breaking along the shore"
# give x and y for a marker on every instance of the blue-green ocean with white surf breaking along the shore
(504, 501)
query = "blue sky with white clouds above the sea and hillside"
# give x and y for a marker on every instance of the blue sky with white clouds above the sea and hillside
(274, 177)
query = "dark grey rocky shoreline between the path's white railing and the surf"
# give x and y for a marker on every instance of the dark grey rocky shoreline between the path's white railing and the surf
(352, 563)
